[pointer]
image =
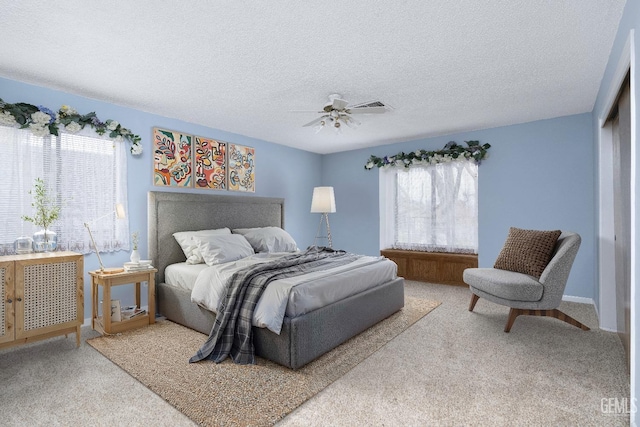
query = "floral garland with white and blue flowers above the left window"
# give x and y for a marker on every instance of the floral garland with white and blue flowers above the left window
(43, 121)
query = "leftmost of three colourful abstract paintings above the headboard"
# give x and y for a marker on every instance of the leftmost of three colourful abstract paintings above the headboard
(171, 158)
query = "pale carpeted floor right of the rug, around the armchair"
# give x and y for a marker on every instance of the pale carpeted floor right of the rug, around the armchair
(456, 367)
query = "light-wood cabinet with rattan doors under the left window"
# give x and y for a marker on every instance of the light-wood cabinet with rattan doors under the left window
(43, 296)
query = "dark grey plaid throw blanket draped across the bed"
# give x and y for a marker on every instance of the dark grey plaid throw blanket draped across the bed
(231, 334)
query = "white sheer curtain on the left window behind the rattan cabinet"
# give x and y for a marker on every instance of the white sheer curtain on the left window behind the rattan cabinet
(85, 173)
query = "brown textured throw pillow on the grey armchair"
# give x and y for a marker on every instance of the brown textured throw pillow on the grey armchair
(527, 251)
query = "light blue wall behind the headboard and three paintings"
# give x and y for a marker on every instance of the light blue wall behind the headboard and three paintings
(280, 171)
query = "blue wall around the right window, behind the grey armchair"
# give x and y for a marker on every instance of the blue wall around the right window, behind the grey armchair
(538, 175)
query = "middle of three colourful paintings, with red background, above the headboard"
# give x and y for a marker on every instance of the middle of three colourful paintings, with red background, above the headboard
(209, 163)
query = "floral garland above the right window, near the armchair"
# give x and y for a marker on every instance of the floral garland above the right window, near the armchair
(451, 152)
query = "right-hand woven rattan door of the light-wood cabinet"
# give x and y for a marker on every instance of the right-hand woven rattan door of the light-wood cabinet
(47, 295)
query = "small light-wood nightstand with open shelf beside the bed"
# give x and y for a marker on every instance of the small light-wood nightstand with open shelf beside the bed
(104, 324)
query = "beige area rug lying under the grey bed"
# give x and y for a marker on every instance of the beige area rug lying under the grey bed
(227, 394)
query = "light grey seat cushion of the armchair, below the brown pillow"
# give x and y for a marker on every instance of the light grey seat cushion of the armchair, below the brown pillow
(504, 284)
